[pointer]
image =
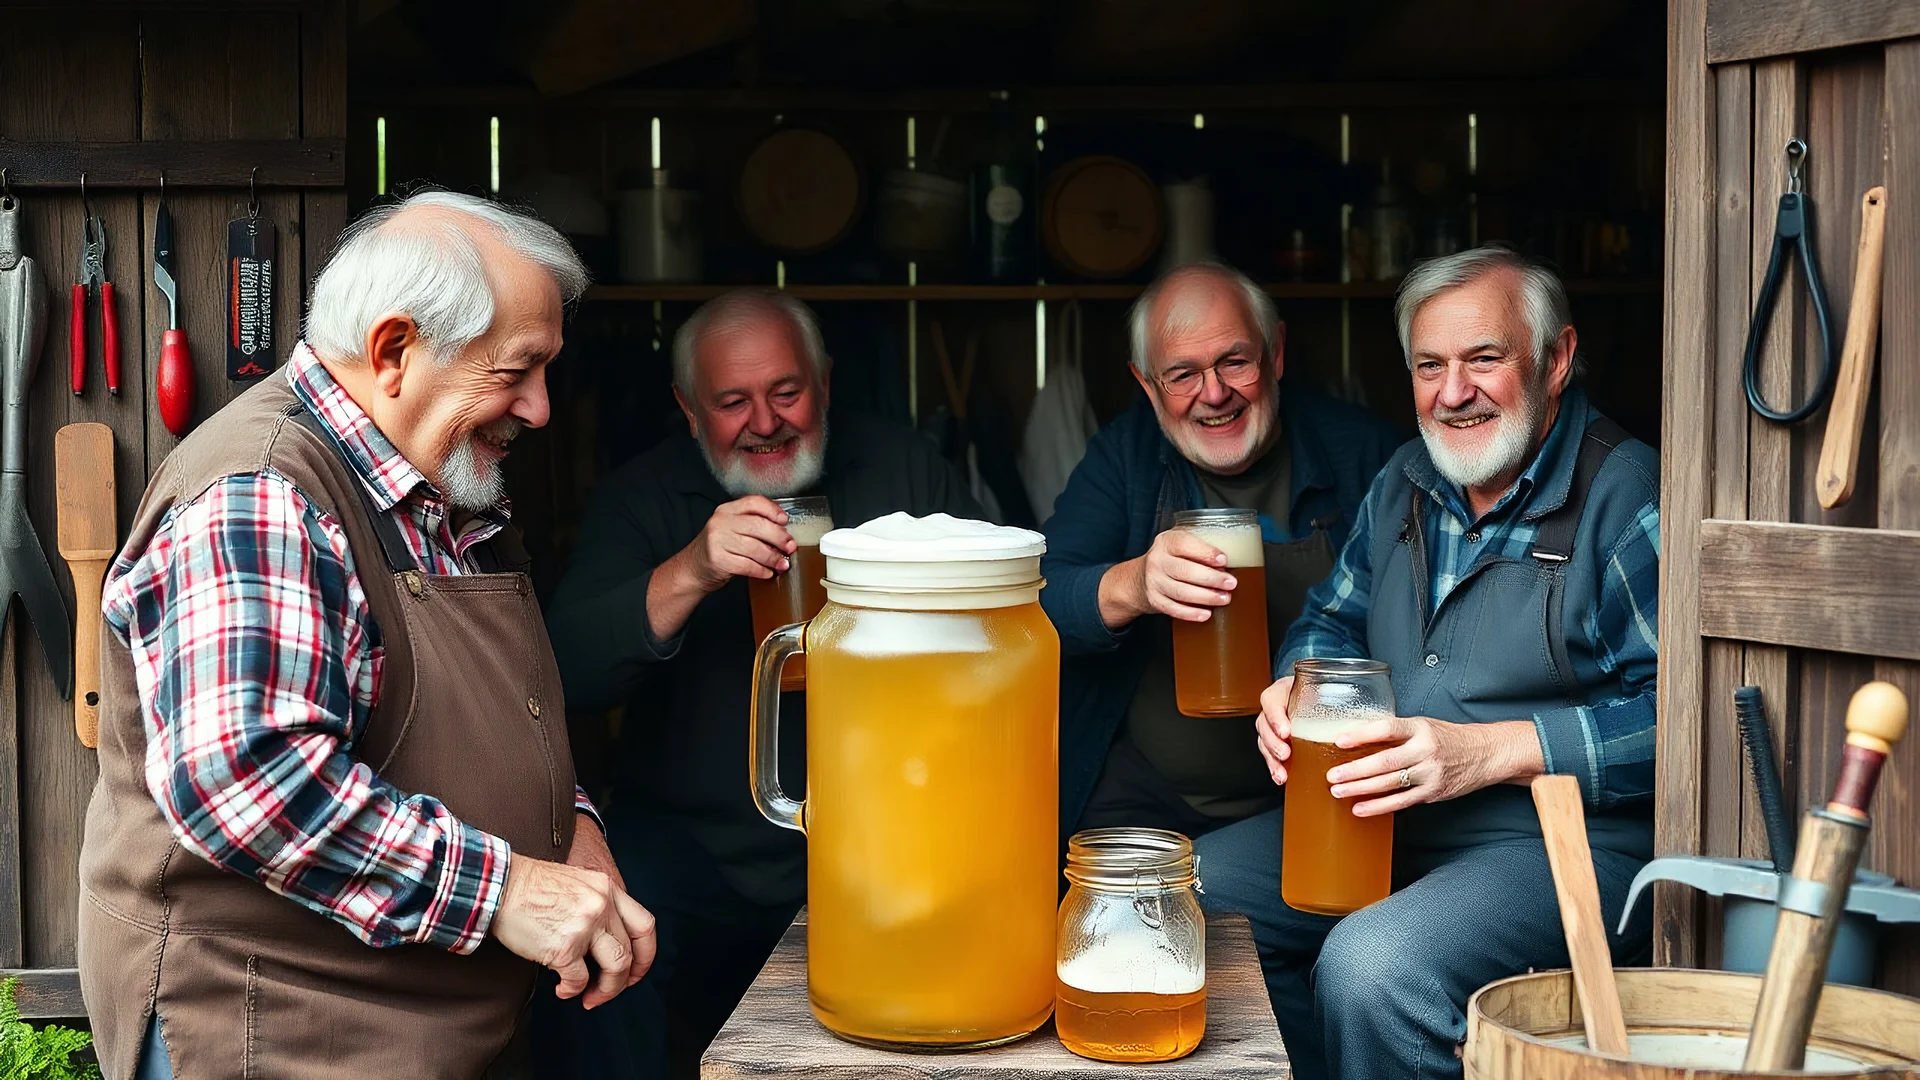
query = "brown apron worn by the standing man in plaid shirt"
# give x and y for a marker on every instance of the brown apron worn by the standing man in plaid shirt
(469, 710)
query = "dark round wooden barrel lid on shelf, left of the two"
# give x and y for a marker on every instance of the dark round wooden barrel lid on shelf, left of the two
(800, 191)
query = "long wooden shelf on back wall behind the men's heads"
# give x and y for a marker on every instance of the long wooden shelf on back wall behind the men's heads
(976, 293)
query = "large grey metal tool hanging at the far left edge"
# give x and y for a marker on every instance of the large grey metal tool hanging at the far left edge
(24, 568)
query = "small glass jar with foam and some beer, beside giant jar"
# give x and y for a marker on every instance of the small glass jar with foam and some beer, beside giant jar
(1132, 975)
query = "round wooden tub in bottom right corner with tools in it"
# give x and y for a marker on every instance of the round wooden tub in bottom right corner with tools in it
(1518, 1029)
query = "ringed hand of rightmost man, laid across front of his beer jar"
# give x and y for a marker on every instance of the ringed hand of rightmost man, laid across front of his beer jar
(1443, 762)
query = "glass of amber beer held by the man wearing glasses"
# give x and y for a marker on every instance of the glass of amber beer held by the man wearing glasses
(1222, 666)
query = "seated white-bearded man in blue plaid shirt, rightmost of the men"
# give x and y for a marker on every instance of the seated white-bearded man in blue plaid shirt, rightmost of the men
(1506, 568)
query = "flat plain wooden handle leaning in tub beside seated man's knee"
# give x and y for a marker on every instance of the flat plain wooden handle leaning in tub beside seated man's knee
(1564, 827)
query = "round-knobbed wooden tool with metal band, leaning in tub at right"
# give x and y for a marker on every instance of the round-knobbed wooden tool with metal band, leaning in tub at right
(1823, 871)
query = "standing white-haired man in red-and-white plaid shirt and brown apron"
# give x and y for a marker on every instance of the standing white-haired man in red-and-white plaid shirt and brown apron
(337, 829)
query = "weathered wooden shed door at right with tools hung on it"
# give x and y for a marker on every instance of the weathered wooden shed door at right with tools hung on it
(1760, 583)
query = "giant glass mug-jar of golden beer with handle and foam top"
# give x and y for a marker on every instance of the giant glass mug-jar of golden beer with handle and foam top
(932, 783)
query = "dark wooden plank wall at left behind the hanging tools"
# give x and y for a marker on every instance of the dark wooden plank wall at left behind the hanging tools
(72, 74)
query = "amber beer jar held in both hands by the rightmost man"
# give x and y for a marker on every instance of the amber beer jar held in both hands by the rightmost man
(1332, 862)
